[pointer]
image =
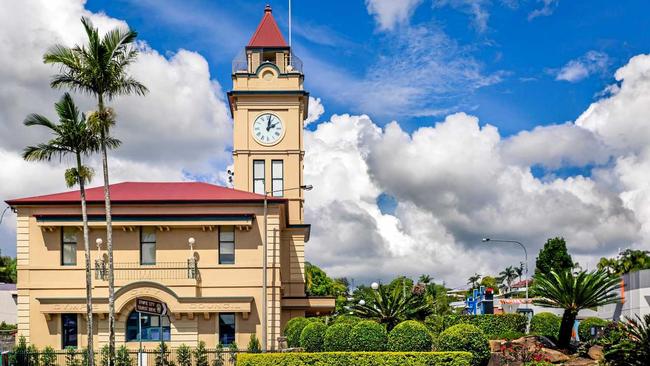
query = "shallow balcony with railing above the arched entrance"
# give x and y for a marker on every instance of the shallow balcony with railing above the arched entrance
(134, 271)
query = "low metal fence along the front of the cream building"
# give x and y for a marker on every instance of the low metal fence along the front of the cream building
(148, 357)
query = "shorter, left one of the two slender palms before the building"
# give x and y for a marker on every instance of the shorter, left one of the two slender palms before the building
(72, 136)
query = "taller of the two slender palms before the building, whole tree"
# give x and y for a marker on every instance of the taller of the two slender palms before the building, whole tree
(100, 69)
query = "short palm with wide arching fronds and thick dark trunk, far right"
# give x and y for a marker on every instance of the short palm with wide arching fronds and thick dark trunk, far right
(575, 292)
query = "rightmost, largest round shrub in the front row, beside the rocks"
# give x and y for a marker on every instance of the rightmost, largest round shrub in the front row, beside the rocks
(468, 338)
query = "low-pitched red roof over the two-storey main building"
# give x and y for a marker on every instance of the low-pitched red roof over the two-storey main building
(149, 192)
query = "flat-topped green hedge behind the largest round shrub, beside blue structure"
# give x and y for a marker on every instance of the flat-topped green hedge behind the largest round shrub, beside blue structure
(496, 326)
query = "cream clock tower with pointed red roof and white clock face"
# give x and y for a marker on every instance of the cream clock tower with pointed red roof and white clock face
(269, 105)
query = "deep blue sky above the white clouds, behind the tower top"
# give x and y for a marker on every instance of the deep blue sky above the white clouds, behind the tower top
(516, 57)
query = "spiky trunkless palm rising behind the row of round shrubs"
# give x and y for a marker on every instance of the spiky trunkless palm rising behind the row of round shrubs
(390, 306)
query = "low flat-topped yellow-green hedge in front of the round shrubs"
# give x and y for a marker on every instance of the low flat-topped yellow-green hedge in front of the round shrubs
(357, 359)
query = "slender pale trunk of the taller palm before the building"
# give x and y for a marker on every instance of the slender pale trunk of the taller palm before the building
(109, 240)
